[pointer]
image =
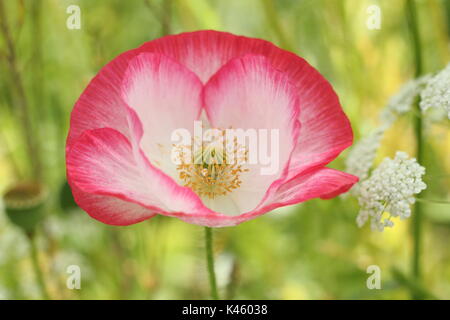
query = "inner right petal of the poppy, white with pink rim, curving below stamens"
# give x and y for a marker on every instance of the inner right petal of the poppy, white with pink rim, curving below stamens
(249, 94)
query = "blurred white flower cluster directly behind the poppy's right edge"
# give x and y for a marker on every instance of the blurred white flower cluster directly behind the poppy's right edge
(361, 156)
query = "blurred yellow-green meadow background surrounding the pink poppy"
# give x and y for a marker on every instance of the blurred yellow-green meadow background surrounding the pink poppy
(309, 251)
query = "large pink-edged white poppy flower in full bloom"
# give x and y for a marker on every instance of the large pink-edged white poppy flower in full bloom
(119, 144)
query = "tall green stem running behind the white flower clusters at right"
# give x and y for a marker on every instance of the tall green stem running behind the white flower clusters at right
(411, 12)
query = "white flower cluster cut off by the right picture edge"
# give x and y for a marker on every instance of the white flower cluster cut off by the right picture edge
(437, 92)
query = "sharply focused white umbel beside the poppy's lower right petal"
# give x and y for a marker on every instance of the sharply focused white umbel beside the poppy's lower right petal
(389, 192)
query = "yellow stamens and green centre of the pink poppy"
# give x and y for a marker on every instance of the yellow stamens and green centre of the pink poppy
(214, 167)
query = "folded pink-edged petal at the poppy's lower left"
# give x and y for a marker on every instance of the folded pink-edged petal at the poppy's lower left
(103, 162)
